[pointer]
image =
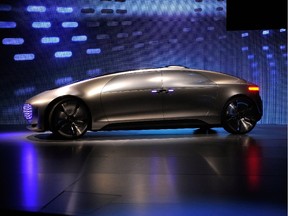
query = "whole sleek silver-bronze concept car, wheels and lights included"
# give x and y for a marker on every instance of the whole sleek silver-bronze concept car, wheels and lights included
(167, 97)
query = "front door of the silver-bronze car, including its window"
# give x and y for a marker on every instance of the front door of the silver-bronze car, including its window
(132, 97)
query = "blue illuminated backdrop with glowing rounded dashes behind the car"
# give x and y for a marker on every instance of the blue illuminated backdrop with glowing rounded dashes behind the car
(47, 44)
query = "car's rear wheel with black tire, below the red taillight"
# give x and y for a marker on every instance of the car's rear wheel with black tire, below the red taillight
(239, 115)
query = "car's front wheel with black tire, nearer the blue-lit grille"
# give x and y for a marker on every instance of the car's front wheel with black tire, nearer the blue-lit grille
(69, 118)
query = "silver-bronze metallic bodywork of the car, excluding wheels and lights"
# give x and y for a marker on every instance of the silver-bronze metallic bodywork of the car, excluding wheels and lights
(148, 95)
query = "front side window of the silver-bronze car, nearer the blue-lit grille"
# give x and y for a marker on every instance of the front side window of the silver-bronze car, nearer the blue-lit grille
(134, 81)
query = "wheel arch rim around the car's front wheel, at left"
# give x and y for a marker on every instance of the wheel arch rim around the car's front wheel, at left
(56, 101)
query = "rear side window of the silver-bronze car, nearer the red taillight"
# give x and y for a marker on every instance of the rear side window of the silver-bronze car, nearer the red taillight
(184, 79)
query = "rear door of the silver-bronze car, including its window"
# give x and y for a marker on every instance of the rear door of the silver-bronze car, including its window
(189, 94)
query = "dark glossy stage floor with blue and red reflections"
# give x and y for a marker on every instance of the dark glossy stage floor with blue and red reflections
(146, 172)
